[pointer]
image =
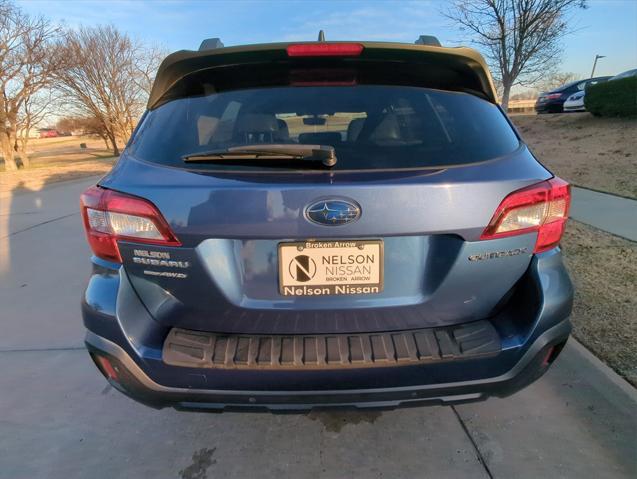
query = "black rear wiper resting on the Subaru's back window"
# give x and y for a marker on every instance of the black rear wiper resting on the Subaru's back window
(239, 154)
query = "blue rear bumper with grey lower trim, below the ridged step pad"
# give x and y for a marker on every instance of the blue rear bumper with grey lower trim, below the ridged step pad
(531, 328)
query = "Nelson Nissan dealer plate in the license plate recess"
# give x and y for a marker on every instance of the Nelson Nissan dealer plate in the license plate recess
(322, 268)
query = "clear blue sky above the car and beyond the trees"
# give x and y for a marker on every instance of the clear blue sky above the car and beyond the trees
(607, 27)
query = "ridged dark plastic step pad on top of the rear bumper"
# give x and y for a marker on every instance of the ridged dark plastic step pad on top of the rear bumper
(331, 351)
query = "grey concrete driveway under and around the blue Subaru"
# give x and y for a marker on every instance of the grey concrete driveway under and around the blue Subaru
(60, 419)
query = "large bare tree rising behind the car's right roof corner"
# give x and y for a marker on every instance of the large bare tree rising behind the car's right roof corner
(520, 38)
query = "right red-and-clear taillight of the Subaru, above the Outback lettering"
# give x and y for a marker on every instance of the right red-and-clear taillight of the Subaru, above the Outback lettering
(542, 207)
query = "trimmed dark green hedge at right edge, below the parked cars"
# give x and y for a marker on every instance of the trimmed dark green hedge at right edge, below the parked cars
(613, 98)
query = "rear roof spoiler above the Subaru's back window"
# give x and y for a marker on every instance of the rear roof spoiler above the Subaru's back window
(464, 62)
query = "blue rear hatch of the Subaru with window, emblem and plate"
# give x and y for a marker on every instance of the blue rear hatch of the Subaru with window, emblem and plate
(388, 239)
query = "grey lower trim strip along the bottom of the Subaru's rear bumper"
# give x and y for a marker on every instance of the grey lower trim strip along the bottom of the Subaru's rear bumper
(134, 382)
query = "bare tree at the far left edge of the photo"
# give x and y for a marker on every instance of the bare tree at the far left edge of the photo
(26, 68)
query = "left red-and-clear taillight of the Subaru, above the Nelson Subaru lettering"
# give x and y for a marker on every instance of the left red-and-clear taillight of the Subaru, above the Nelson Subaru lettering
(110, 216)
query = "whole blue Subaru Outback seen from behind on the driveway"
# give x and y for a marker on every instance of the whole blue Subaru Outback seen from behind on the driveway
(325, 224)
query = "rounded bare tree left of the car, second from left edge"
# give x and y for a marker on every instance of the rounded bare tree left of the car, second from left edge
(105, 77)
